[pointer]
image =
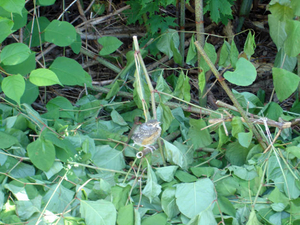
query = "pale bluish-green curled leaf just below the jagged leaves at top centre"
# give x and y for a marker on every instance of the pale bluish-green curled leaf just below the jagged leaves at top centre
(164, 43)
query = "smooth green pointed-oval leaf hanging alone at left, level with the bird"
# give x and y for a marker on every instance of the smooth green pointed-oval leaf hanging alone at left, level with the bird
(41, 153)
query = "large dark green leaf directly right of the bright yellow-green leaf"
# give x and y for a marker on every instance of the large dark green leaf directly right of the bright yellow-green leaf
(68, 71)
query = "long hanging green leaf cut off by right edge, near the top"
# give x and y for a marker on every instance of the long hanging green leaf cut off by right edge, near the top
(292, 43)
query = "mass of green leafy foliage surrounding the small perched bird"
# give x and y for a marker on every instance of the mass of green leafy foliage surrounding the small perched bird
(68, 165)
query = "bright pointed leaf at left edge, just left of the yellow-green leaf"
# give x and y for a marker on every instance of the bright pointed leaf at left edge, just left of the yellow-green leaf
(13, 87)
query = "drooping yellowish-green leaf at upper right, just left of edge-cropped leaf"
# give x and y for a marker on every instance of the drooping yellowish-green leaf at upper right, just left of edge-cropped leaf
(277, 31)
